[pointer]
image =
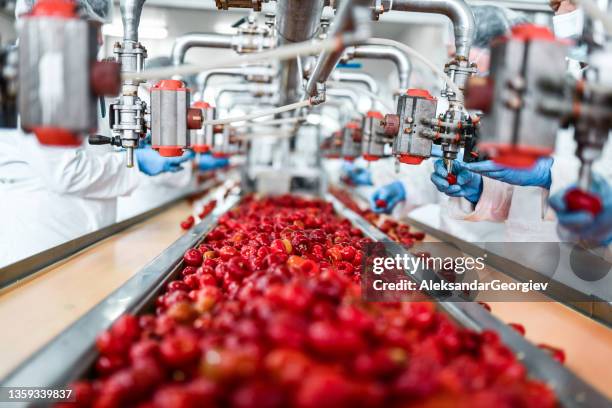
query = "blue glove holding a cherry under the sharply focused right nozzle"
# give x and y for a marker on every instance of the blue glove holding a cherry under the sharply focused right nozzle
(469, 184)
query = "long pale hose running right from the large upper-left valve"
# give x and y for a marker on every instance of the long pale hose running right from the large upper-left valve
(281, 53)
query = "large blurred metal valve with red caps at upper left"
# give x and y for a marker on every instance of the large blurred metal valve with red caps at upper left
(60, 77)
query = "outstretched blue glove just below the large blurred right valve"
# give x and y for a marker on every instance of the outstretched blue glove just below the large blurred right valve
(538, 175)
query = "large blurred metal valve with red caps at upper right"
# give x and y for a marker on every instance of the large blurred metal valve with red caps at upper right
(516, 129)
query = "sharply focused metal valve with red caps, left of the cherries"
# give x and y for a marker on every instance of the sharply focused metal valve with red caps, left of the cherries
(172, 118)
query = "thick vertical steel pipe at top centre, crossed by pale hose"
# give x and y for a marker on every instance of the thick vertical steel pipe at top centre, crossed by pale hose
(297, 21)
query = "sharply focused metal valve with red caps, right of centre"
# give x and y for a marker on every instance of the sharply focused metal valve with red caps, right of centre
(411, 126)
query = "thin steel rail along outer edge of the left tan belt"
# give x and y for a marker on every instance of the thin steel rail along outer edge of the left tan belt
(31, 265)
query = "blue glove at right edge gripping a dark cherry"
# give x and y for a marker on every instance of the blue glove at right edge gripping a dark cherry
(582, 225)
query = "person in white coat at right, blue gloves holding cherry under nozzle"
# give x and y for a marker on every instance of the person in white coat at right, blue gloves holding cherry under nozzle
(519, 198)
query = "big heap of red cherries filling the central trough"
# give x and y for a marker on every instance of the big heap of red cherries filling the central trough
(267, 313)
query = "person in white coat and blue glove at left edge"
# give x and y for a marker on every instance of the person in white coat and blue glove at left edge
(51, 195)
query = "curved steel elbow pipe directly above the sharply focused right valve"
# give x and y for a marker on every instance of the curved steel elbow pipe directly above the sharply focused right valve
(371, 50)
